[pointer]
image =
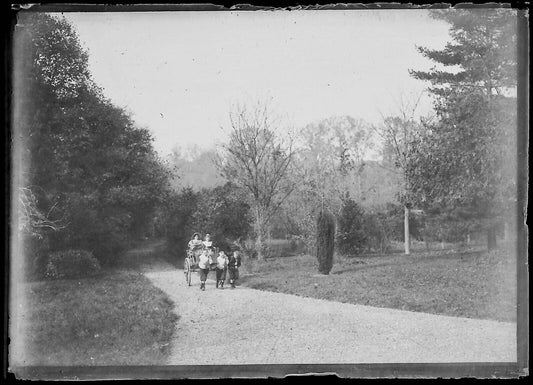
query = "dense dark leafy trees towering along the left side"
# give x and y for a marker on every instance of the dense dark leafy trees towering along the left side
(93, 176)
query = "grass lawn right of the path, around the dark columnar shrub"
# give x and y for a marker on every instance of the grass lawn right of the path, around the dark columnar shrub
(464, 284)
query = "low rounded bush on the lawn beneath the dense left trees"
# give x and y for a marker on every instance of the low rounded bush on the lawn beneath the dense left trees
(71, 264)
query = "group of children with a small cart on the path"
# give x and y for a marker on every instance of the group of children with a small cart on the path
(224, 263)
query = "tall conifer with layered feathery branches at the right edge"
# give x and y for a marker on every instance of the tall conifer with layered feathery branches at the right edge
(465, 163)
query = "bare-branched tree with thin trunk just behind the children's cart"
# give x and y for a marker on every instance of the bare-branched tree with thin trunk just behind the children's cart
(257, 158)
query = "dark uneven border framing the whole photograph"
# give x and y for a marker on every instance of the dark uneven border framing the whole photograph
(397, 370)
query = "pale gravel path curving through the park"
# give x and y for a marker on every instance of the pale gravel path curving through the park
(247, 326)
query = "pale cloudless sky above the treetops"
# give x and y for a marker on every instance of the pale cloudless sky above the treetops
(179, 73)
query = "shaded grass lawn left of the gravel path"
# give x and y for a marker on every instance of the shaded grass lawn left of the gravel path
(116, 318)
